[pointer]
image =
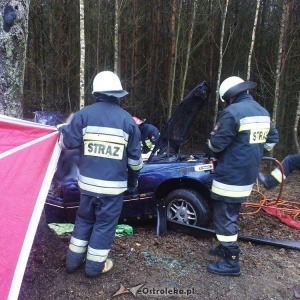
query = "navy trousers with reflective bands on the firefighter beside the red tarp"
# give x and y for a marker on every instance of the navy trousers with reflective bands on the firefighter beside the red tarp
(94, 231)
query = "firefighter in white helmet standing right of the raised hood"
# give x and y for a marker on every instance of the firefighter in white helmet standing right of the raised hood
(238, 140)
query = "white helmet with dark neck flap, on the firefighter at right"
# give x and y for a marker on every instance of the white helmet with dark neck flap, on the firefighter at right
(232, 86)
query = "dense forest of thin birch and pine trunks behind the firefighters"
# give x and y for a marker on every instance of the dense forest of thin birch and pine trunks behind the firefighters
(161, 49)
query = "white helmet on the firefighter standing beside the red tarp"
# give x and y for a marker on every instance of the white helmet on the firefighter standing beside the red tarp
(108, 83)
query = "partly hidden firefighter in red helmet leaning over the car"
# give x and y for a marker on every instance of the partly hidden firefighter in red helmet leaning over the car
(149, 134)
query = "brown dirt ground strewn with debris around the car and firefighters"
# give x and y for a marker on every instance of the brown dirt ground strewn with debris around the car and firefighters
(174, 264)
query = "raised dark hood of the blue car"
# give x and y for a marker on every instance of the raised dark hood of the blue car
(175, 131)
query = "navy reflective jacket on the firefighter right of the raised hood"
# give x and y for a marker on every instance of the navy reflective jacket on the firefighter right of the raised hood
(243, 132)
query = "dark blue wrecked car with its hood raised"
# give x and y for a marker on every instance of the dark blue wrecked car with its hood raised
(180, 181)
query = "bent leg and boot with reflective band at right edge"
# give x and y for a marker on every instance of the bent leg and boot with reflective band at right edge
(289, 164)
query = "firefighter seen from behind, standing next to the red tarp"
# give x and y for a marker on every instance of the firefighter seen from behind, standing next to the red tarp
(110, 161)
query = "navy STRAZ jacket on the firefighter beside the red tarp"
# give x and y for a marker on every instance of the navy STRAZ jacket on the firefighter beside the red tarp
(109, 141)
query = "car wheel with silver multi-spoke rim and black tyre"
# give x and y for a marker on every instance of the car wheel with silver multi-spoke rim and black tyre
(188, 207)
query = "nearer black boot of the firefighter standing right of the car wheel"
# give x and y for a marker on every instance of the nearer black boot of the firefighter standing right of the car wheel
(228, 265)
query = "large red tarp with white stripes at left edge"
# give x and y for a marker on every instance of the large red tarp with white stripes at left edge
(28, 158)
